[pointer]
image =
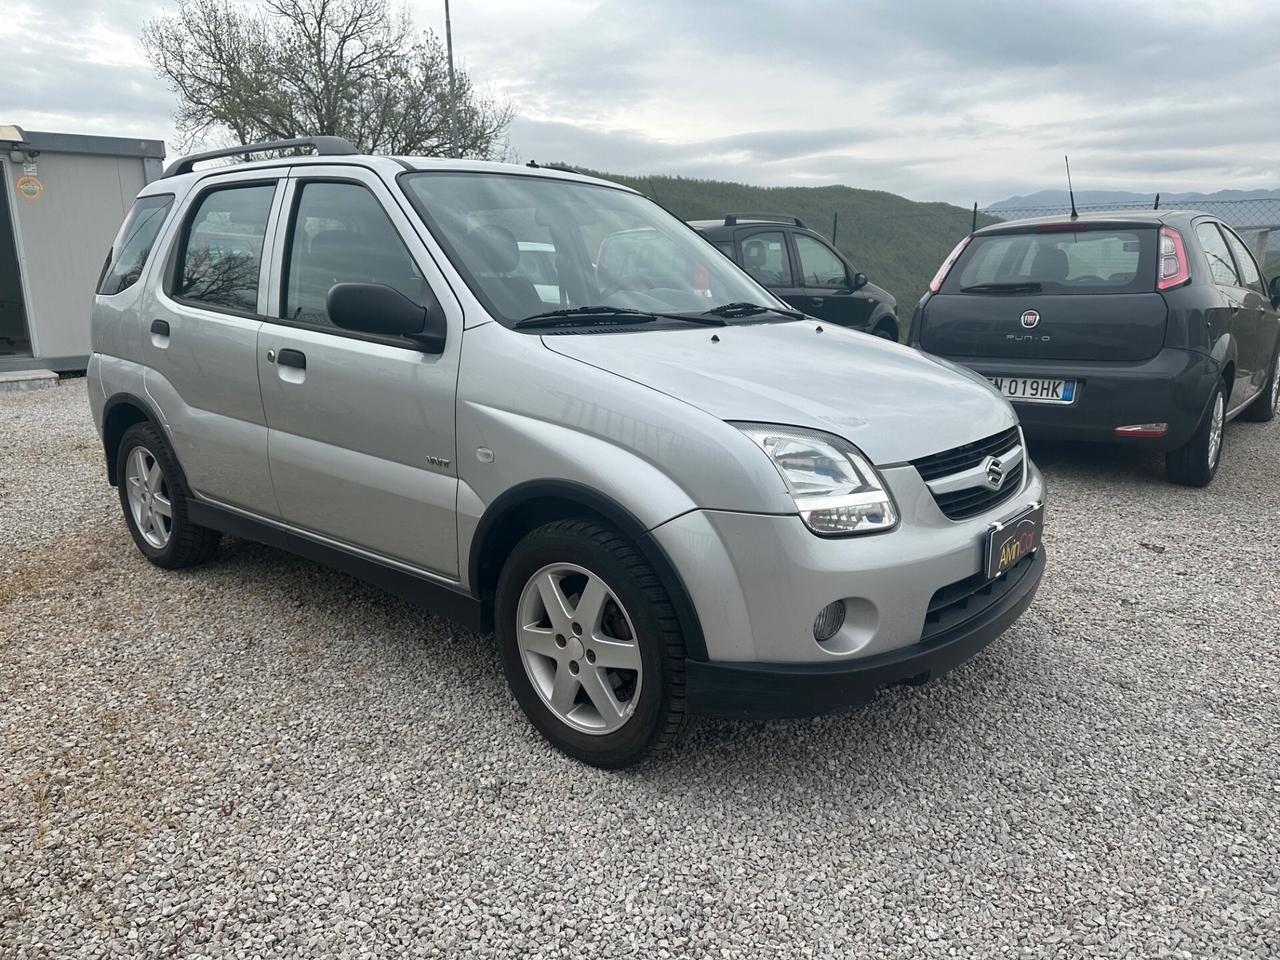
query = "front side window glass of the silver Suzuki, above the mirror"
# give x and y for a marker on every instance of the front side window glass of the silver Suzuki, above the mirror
(341, 235)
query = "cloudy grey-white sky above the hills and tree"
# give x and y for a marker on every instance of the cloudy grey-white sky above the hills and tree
(971, 100)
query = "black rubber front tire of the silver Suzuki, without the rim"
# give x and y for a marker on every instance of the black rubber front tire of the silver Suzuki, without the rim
(659, 715)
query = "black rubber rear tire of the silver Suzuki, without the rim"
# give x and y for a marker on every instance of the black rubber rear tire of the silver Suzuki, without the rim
(188, 545)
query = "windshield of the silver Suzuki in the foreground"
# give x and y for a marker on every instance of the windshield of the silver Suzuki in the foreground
(529, 246)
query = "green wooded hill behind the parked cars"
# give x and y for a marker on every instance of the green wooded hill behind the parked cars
(895, 241)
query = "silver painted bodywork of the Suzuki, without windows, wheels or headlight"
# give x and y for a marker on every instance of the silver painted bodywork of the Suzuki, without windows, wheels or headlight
(397, 456)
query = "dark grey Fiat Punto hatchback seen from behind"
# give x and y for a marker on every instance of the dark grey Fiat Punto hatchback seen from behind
(1150, 328)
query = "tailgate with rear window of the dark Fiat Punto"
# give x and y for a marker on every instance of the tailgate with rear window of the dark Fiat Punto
(1055, 292)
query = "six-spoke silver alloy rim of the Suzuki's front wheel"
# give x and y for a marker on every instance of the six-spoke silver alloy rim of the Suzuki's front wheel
(579, 648)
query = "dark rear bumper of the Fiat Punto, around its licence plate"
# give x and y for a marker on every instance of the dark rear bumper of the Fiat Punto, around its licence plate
(1171, 388)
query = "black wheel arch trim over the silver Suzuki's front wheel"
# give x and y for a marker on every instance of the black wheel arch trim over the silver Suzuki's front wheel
(488, 537)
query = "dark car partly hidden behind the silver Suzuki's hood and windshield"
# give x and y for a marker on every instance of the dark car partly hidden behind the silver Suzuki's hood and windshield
(804, 271)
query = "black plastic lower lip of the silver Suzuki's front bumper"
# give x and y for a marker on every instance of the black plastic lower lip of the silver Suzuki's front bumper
(765, 691)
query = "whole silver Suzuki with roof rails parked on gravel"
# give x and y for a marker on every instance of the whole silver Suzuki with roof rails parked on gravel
(538, 404)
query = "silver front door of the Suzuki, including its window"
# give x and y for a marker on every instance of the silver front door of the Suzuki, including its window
(362, 428)
